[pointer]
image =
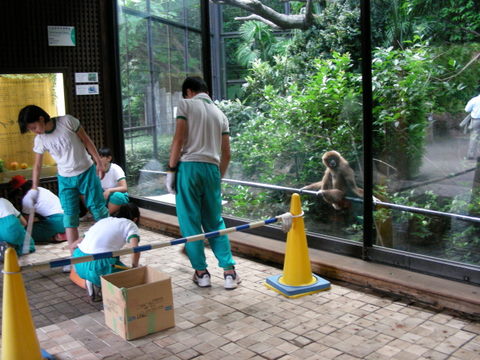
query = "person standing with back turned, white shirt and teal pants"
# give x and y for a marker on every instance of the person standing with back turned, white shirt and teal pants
(199, 157)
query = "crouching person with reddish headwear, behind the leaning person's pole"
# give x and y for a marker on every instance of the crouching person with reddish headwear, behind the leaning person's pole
(49, 226)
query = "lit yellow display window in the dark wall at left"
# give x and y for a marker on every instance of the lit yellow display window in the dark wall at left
(17, 91)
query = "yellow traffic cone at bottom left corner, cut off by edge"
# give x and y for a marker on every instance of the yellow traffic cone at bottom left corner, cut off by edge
(19, 340)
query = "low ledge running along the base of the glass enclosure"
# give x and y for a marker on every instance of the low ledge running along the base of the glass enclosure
(429, 290)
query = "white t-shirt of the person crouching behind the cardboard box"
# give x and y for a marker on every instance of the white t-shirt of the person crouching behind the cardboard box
(108, 234)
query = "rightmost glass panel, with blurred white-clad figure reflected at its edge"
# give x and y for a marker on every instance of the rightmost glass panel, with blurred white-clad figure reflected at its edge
(424, 74)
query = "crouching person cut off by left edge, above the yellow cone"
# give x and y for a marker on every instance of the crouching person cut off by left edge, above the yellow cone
(12, 229)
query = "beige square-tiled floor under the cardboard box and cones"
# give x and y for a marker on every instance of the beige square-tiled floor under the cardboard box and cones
(251, 322)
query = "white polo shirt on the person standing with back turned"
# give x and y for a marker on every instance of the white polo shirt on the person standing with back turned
(206, 125)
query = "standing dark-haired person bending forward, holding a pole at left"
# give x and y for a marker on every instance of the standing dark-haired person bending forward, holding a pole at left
(72, 149)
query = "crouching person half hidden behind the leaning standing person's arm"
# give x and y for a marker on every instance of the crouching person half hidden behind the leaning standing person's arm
(114, 183)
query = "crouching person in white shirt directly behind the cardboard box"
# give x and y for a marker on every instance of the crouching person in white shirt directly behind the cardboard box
(109, 234)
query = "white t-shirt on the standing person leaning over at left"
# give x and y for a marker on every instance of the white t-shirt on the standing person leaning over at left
(65, 146)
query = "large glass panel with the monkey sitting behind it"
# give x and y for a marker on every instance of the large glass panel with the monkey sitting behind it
(301, 101)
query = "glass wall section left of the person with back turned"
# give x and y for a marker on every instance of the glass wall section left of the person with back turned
(159, 45)
